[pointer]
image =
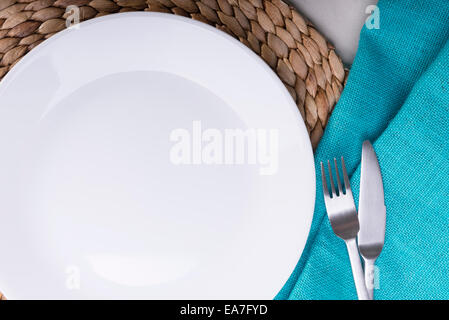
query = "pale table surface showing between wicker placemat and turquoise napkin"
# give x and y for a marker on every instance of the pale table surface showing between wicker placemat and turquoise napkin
(340, 21)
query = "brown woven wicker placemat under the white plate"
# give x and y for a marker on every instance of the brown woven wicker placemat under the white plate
(294, 49)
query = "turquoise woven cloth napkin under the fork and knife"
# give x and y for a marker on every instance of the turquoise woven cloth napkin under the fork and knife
(397, 96)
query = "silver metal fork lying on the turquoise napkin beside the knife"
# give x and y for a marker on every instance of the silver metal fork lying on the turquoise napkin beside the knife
(342, 215)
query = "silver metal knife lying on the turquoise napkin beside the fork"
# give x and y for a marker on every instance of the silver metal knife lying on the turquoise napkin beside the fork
(372, 213)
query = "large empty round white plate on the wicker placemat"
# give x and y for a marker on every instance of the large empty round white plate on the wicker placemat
(92, 202)
